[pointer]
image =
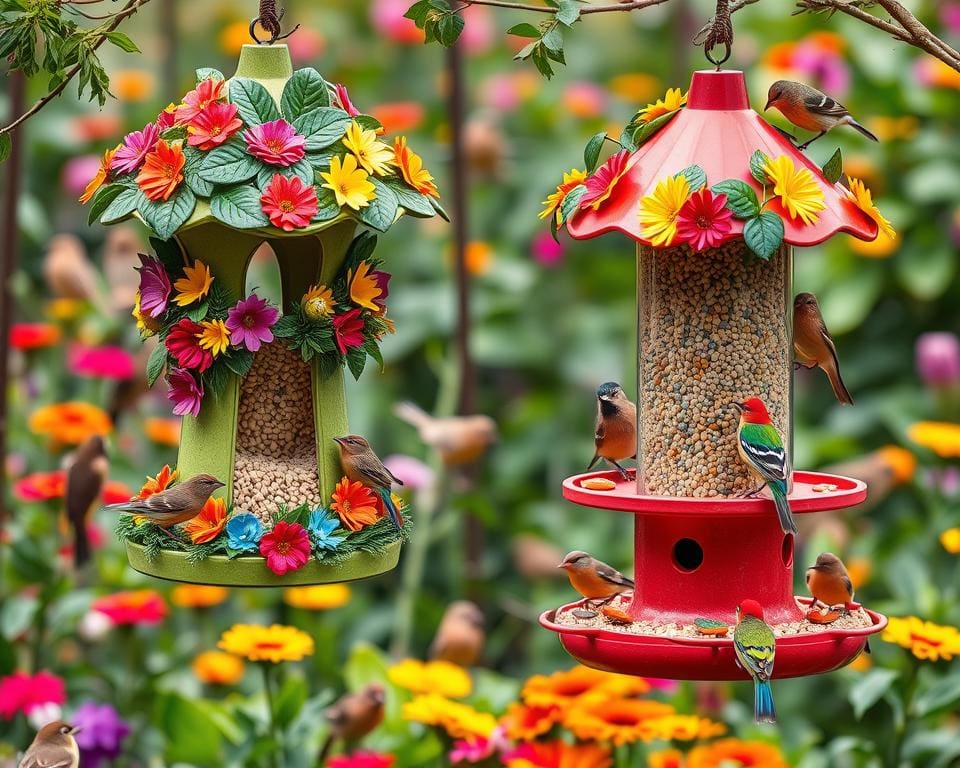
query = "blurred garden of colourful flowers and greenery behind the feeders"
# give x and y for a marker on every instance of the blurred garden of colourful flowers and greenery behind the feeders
(136, 661)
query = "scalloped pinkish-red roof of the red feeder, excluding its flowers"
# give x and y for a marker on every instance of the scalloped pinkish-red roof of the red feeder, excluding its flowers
(718, 131)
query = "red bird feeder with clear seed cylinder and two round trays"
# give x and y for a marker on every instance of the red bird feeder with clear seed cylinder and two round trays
(715, 199)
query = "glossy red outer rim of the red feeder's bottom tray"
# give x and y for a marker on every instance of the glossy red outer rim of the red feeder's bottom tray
(681, 658)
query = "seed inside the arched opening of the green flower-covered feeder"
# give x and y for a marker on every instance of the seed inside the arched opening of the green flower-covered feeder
(276, 458)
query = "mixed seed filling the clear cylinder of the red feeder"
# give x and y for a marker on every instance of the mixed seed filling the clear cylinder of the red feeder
(714, 328)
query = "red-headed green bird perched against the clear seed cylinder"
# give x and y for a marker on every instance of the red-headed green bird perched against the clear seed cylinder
(762, 451)
